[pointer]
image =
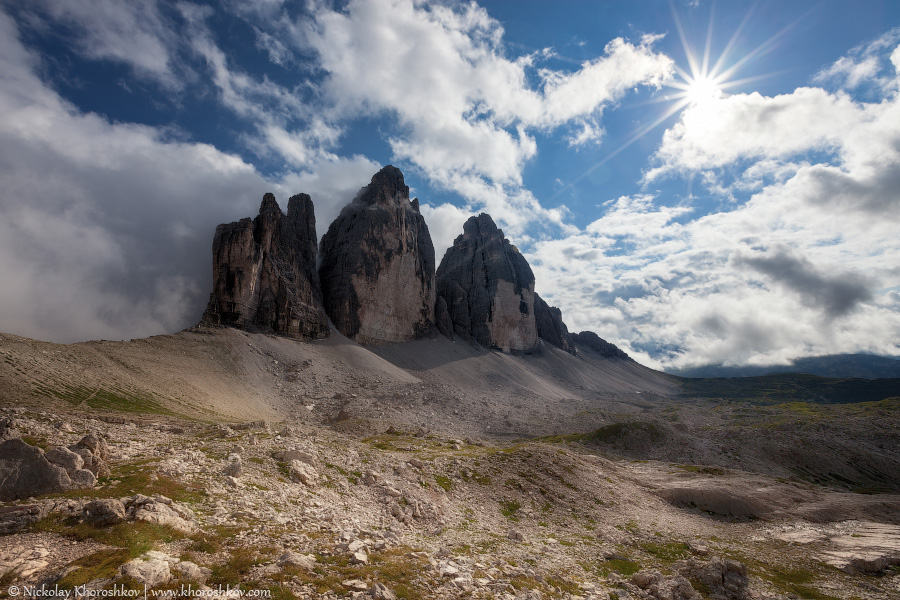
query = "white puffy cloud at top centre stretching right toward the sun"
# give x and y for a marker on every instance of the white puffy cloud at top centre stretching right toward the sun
(465, 110)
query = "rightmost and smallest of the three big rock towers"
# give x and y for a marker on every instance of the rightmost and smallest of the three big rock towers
(488, 289)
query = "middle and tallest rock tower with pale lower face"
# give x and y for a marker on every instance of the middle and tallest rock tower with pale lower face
(377, 268)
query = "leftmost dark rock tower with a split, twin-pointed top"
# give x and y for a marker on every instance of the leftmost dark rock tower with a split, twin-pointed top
(264, 272)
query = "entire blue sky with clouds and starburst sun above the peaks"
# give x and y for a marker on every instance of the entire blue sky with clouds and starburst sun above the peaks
(697, 182)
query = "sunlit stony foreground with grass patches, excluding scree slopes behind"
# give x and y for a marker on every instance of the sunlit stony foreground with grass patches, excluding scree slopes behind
(319, 512)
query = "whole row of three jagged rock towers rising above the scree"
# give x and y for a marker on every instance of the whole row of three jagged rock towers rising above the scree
(376, 279)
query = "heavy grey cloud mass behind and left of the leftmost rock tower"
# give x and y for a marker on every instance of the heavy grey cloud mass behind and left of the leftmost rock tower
(107, 226)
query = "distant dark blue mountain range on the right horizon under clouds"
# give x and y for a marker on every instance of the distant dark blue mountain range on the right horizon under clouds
(865, 366)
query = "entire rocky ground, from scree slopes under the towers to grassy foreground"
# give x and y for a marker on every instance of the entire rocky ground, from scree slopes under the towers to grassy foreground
(398, 474)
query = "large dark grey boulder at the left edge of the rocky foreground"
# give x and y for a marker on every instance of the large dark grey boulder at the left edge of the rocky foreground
(25, 471)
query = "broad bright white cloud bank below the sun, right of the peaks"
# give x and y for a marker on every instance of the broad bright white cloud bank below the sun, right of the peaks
(770, 278)
